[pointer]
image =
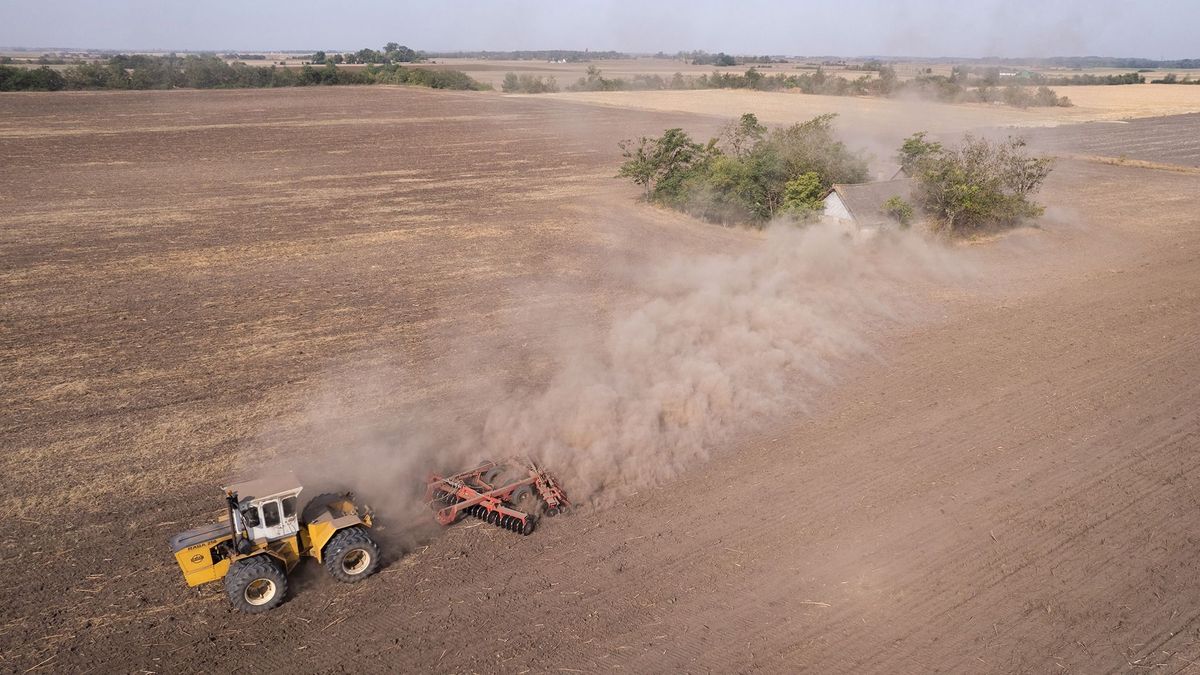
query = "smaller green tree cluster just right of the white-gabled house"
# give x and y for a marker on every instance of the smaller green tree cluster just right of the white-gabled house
(976, 184)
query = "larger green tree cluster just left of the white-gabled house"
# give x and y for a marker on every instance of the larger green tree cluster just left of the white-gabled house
(748, 175)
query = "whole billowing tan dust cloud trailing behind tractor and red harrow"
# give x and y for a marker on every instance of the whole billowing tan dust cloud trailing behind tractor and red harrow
(712, 348)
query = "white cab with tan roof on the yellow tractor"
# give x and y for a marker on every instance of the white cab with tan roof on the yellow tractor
(267, 509)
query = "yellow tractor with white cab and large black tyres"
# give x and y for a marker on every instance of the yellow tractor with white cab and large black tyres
(262, 536)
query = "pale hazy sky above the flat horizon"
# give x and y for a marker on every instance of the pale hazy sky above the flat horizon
(1160, 29)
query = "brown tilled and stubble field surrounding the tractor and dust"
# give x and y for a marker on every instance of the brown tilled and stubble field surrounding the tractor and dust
(188, 277)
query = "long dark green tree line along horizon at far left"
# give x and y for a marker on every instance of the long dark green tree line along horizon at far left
(141, 71)
